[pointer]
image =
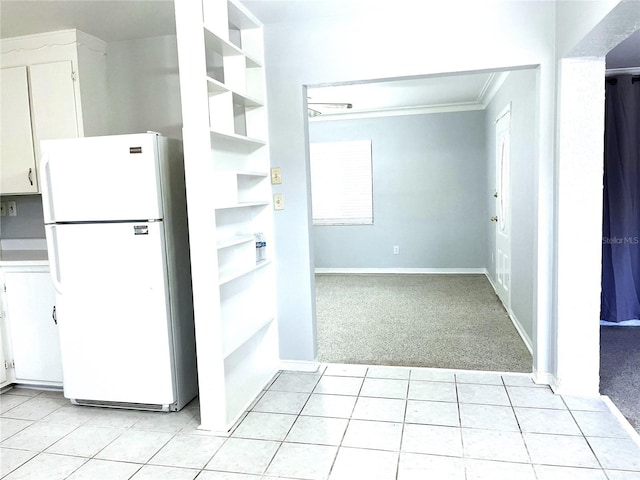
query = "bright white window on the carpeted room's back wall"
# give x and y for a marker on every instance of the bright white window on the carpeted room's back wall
(341, 183)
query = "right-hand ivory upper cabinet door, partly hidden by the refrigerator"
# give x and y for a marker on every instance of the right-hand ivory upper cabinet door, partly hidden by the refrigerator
(53, 102)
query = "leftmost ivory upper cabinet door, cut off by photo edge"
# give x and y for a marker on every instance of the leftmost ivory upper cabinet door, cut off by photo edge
(17, 161)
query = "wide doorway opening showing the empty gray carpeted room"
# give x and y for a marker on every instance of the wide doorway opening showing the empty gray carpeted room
(432, 242)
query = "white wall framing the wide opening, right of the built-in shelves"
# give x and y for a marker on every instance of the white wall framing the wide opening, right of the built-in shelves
(380, 43)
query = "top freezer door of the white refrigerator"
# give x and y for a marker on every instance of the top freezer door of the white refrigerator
(101, 179)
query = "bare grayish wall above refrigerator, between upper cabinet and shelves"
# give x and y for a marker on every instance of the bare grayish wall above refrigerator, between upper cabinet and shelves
(144, 88)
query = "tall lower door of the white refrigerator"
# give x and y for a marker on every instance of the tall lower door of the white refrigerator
(113, 312)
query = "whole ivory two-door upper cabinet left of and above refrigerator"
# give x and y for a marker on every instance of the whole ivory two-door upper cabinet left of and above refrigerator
(41, 94)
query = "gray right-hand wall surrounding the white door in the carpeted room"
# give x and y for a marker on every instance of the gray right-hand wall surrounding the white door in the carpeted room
(520, 89)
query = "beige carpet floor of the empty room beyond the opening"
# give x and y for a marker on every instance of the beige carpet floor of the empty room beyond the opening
(442, 321)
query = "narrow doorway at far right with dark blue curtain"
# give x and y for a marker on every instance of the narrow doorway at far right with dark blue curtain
(620, 307)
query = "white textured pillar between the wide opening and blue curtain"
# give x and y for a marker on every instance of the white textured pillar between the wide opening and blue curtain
(578, 188)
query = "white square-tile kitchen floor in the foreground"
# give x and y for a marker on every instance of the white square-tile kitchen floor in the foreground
(345, 422)
